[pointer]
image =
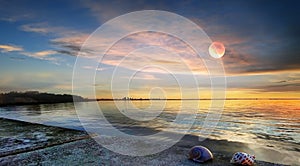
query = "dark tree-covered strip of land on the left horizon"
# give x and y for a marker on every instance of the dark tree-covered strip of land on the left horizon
(35, 97)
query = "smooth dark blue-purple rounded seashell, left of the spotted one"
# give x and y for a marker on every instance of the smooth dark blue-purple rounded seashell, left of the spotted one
(200, 154)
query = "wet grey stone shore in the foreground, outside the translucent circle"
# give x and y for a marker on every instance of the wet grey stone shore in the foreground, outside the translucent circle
(23, 143)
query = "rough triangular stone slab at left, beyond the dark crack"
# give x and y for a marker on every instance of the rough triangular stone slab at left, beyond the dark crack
(17, 137)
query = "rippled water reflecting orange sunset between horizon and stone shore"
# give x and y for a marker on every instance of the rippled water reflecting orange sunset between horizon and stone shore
(273, 124)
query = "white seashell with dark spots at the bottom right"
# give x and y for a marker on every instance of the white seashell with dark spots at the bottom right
(242, 158)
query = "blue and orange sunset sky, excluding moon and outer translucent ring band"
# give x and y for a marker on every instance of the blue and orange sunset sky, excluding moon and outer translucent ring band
(40, 41)
